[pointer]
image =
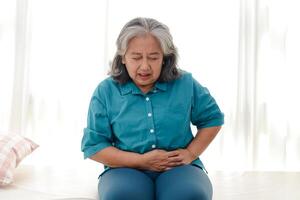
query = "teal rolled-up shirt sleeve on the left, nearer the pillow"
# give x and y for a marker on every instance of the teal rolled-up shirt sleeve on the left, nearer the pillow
(98, 133)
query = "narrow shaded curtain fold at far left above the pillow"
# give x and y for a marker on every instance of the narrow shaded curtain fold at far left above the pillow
(19, 100)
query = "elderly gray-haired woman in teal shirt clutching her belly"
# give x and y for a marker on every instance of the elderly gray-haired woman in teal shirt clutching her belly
(139, 121)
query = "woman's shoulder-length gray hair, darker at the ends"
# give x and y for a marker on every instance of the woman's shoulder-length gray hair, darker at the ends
(138, 27)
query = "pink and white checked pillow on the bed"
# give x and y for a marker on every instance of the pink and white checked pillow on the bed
(13, 149)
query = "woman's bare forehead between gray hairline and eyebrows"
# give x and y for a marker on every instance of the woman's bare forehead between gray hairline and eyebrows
(145, 43)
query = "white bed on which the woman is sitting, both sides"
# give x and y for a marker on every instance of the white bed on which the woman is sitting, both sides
(45, 183)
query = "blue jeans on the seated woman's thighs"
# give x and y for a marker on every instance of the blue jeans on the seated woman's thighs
(186, 182)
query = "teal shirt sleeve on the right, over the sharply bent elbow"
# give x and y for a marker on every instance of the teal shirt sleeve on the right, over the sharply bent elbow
(205, 111)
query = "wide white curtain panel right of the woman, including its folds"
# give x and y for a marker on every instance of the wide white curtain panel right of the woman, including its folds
(266, 120)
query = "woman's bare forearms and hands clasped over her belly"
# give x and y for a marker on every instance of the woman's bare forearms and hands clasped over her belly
(158, 160)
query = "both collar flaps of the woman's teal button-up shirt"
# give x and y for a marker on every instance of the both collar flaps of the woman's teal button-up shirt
(130, 87)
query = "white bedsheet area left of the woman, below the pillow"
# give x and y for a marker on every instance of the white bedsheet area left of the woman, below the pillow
(45, 183)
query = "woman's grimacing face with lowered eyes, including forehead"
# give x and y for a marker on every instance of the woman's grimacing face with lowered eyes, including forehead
(143, 61)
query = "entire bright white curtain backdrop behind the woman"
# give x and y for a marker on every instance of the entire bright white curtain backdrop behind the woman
(54, 53)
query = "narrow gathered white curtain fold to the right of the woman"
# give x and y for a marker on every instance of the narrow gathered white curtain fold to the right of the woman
(246, 83)
